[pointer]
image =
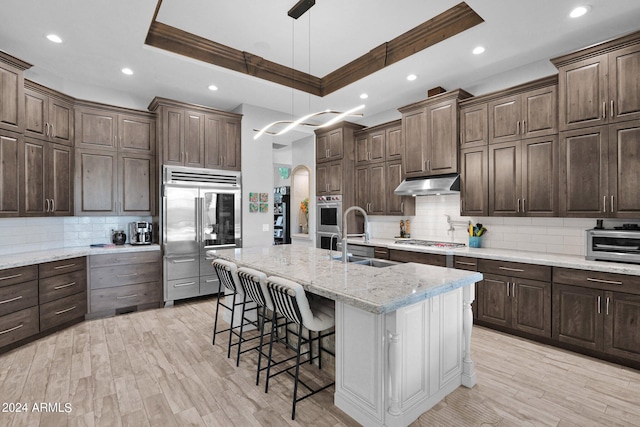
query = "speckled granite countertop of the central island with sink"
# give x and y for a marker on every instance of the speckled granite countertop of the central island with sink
(376, 290)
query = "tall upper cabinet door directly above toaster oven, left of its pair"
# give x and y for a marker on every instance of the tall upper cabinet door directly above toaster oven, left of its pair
(583, 172)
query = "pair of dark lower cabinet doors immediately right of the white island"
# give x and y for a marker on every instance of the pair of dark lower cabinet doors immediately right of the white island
(515, 303)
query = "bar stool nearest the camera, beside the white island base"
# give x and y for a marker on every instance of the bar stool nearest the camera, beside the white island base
(290, 300)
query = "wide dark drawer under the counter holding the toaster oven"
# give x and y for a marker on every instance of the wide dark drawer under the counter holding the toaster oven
(597, 280)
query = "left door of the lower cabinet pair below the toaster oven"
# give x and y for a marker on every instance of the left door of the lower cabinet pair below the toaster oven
(577, 316)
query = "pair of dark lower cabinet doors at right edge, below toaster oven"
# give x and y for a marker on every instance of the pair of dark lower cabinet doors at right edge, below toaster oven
(597, 320)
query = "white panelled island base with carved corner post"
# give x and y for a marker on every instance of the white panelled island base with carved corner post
(393, 367)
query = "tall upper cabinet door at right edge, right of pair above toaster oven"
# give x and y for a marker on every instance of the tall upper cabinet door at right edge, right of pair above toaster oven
(624, 164)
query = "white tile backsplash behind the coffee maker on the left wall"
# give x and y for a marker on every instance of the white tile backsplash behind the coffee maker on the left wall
(36, 234)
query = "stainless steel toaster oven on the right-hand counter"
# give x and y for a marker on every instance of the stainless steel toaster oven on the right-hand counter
(613, 245)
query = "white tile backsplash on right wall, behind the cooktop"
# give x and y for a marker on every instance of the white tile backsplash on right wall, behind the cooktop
(551, 235)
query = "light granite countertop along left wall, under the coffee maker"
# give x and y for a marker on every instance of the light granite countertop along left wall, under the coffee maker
(38, 257)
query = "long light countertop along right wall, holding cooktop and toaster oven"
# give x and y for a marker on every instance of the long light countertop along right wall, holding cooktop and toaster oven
(553, 260)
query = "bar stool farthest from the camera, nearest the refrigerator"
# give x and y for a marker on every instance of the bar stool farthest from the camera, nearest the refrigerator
(228, 274)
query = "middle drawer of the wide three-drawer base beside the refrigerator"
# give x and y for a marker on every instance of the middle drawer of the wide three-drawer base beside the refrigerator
(108, 277)
